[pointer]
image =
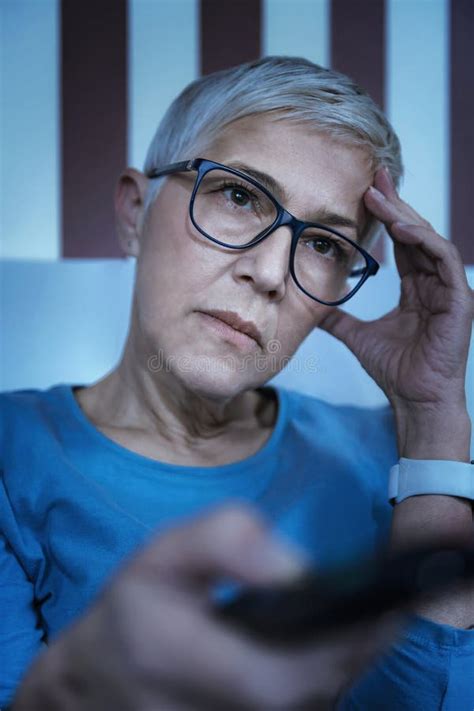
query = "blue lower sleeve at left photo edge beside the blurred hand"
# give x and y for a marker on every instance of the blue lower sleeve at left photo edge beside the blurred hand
(21, 636)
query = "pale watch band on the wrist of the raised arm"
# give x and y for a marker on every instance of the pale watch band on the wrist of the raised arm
(413, 477)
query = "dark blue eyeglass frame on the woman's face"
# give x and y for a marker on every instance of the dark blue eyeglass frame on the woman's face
(283, 218)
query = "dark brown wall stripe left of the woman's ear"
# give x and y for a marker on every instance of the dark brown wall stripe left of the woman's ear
(94, 122)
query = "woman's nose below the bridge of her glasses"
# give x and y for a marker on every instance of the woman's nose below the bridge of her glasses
(266, 265)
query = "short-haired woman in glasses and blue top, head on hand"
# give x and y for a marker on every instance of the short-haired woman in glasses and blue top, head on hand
(240, 254)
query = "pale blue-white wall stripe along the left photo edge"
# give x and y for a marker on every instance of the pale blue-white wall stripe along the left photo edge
(29, 178)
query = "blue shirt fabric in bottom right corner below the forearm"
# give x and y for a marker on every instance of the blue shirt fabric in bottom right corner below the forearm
(431, 667)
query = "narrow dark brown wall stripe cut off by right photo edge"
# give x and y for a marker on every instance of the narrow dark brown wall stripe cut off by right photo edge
(462, 123)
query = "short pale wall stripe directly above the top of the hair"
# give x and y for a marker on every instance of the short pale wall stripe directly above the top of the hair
(299, 28)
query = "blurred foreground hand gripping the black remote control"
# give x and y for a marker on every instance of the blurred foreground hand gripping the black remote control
(151, 643)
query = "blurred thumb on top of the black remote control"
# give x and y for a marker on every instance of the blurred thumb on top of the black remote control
(232, 541)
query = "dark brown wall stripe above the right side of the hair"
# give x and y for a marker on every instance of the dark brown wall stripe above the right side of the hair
(358, 49)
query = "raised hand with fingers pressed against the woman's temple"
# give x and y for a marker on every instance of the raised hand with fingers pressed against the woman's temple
(417, 353)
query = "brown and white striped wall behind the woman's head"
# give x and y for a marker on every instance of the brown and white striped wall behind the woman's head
(84, 85)
